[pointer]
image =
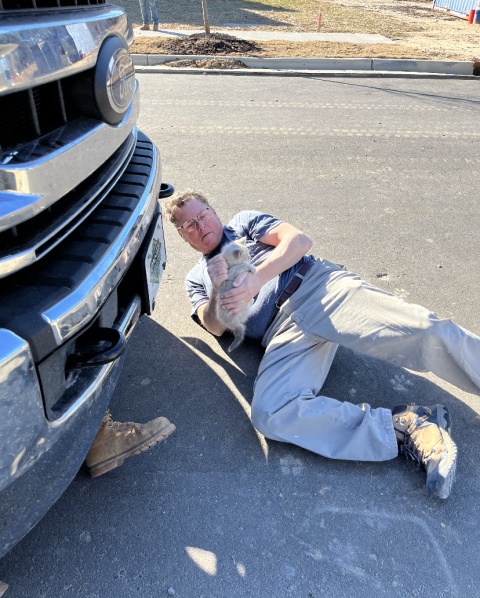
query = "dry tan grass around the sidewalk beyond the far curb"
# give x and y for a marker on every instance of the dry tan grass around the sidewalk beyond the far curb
(419, 32)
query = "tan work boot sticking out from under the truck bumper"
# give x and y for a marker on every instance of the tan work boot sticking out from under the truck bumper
(116, 441)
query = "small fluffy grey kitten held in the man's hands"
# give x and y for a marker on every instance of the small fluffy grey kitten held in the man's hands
(238, 260)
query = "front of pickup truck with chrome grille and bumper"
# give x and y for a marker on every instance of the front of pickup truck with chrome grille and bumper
(81, 239)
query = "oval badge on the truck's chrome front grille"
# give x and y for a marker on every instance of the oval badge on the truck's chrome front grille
(114, 81)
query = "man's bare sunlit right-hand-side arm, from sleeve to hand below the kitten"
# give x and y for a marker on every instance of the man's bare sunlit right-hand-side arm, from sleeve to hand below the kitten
(290, 246)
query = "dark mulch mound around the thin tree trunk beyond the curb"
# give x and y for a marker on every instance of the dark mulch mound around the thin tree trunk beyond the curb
(211, 45)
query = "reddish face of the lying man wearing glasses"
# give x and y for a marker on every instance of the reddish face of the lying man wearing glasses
(207, 234)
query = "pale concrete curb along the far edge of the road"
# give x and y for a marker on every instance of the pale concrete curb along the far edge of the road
(291, 66)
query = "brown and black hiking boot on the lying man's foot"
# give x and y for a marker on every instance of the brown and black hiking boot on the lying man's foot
(424, 436)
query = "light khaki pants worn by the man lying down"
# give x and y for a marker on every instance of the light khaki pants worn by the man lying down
(333, 307)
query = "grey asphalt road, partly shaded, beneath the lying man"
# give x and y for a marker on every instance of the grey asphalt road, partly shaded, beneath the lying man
(382, 174)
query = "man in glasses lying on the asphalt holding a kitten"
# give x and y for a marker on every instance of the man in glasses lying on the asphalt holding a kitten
(303, 309)
